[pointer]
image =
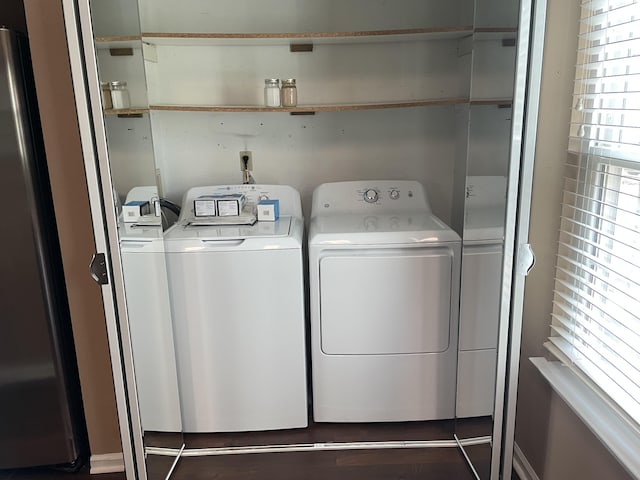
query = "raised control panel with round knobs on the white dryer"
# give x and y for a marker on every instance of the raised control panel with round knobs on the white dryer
(367, 196)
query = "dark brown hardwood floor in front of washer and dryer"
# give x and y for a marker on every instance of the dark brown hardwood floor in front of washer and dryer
(374, 464)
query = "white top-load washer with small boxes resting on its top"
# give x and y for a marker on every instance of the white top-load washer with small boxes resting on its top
(237, 296)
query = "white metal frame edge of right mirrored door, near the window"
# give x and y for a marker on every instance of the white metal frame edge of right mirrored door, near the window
(526, 100)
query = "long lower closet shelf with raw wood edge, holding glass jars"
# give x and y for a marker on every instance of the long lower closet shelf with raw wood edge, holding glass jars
(310, 108)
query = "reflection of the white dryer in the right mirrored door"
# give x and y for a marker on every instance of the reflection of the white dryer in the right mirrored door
(483, 239)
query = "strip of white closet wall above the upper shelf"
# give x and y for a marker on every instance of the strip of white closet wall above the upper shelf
(300, 15)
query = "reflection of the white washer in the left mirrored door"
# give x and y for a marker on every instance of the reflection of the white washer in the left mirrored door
(149, 313)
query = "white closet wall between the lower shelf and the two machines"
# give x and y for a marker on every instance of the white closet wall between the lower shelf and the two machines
(305, 151)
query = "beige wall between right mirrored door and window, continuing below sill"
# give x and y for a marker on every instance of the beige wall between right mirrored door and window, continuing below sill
(555, 442)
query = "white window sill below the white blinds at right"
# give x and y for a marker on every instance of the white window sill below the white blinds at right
(615, 433)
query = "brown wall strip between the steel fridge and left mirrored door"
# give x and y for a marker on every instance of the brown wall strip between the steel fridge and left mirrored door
(64, 157)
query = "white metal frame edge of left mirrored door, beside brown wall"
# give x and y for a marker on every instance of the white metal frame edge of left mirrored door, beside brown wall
(93, 139)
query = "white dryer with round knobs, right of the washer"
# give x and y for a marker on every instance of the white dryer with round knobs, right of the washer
(384, 276)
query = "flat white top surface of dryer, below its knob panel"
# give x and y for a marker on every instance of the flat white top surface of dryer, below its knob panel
(380, 229)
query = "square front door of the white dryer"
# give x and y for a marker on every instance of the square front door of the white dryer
(386, 301)
